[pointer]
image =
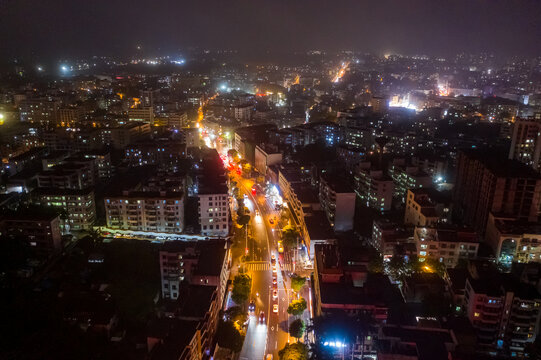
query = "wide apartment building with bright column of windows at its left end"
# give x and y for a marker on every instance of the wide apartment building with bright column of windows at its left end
(447, 246)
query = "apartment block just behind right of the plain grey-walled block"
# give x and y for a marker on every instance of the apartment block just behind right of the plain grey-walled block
(374, 187)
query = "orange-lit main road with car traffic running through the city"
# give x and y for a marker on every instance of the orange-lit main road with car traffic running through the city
(268, 338)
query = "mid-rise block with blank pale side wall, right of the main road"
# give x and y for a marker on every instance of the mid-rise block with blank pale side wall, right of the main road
(338, 201)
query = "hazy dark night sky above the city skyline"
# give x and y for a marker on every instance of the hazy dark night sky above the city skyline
(61, 28)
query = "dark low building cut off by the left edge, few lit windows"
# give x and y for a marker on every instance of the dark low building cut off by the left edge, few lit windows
(39, 229)
